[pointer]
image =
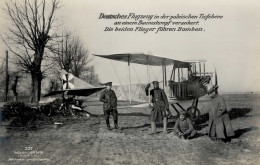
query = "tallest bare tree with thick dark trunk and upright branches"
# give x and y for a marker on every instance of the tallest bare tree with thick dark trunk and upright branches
(29, 35)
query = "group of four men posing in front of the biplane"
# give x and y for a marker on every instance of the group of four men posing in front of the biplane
(220, 127)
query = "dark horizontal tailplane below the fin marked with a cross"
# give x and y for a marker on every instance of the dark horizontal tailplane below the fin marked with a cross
(76, 92)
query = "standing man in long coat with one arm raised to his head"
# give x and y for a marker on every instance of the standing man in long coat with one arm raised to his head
(160, 106)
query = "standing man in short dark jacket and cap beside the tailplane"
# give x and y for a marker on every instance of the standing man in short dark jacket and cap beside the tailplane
(108, 97)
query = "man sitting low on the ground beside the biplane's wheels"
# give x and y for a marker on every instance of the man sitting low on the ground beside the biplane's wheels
(183, 127)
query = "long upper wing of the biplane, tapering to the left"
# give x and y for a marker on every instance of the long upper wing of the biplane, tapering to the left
(144, 59)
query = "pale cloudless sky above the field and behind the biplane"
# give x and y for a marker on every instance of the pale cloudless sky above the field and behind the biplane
(231, 44)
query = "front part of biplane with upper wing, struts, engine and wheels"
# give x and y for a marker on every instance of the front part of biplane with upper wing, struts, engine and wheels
(177, 87)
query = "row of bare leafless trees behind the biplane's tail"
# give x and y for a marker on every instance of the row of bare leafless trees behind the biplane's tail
(39, 48)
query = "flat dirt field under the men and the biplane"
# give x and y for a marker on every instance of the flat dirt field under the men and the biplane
(84, 140)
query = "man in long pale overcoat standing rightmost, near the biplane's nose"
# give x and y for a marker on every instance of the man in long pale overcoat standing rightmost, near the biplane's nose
(220, 127)
